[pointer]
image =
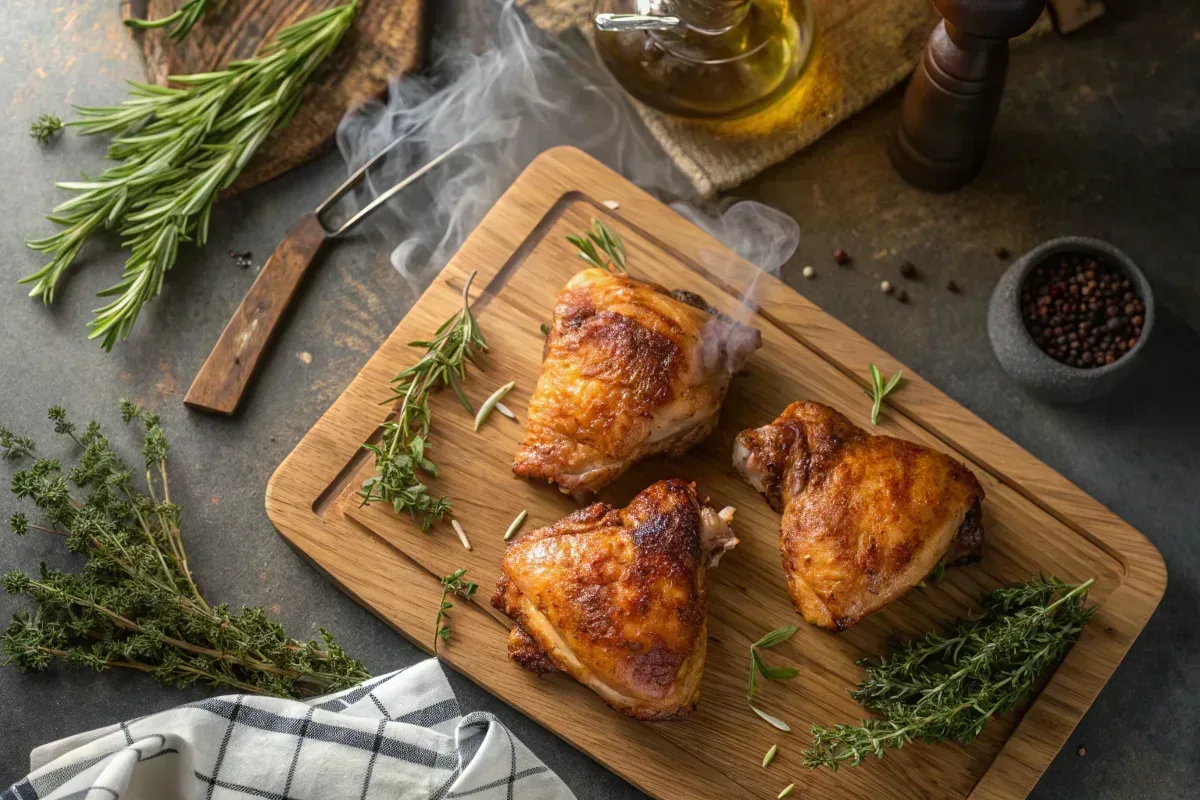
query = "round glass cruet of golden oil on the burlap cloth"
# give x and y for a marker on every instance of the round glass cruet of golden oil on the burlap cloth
(705, 58)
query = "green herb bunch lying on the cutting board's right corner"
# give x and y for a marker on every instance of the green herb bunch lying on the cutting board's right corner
(949, 685)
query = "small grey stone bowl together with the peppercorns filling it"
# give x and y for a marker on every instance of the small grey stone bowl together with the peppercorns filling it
(1069, 320)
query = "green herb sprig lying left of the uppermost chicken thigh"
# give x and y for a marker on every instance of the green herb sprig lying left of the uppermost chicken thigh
(400, 455)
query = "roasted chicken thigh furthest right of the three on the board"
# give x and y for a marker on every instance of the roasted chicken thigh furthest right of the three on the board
(866, 519)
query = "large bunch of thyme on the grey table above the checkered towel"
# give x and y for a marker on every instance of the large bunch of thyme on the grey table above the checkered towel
(136, 604)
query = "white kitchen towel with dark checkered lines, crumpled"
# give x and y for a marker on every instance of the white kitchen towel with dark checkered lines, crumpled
(398, 737)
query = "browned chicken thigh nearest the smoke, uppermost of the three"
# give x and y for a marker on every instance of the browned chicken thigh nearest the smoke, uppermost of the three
(631, 371)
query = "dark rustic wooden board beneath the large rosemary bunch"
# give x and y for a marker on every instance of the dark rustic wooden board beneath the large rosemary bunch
(388, 40)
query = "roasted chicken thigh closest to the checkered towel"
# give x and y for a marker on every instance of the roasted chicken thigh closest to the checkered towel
(617, 598)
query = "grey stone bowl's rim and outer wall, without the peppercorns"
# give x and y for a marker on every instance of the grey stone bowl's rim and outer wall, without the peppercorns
(1024, 360)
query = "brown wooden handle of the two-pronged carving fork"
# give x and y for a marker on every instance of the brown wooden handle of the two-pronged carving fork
(223, 381)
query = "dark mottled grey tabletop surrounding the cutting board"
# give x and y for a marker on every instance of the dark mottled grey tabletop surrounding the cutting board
(1099, 136)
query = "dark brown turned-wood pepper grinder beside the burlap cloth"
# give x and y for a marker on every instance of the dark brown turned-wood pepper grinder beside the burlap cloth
(952, 100)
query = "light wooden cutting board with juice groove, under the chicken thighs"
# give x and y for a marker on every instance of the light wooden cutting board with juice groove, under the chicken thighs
(1035, 520)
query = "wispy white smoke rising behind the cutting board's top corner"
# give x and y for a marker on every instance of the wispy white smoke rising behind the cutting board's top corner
(525, 94)
